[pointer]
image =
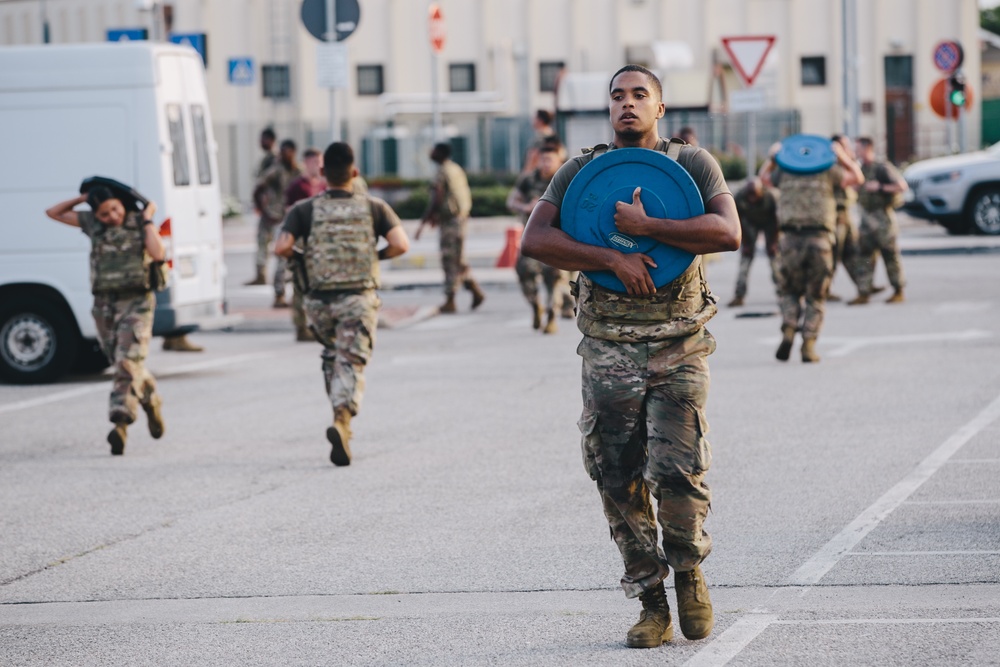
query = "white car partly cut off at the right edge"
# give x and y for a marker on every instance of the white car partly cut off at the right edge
(959, 192)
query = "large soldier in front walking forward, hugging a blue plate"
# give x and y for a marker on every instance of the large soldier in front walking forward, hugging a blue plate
(645, 367)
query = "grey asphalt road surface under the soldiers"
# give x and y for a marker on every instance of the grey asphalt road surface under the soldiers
(856, 509)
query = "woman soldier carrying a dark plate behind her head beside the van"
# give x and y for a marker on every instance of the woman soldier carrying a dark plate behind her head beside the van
(124, 244)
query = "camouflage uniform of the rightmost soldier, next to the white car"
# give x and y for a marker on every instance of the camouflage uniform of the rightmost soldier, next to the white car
(879, 229)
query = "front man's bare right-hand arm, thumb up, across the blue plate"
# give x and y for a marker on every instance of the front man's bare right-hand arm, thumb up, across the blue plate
(716, 230)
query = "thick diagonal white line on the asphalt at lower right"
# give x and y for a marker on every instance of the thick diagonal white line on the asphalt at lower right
(731, 642)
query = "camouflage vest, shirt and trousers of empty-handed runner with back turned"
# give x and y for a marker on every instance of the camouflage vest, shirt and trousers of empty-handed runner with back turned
(338, 233)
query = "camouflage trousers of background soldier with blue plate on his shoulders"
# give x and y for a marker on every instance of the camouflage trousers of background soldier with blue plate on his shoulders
(806, 271)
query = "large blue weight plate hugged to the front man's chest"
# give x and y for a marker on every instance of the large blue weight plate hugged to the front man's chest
(668, 191)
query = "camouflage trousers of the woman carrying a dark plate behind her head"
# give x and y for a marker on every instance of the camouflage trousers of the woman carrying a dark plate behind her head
(125, 325)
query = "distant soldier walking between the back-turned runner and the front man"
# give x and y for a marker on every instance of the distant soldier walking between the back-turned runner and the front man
(449, 208)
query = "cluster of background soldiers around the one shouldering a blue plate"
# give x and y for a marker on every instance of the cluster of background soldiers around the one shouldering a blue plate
(808, 228)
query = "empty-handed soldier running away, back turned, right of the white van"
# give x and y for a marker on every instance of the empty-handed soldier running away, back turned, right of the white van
(339, 231)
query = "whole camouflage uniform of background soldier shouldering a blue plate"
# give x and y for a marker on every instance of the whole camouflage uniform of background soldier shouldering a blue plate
(807, 218)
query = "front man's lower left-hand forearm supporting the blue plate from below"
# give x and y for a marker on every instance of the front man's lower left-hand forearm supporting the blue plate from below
(544, 241)
